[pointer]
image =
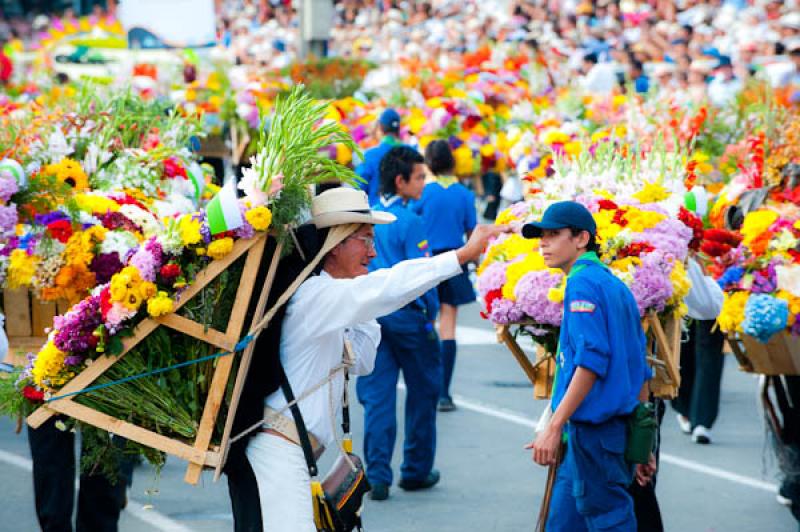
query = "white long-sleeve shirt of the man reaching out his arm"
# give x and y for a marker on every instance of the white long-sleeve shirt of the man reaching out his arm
(324, 310)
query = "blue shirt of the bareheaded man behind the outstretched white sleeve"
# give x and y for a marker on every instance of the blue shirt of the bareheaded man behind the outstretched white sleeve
(402, 240)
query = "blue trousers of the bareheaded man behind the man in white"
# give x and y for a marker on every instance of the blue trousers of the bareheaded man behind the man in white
(406, 346)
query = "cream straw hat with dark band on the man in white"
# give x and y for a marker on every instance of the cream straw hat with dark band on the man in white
(338, 206)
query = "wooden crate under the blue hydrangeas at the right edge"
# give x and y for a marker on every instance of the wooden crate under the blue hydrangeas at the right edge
(779, 356)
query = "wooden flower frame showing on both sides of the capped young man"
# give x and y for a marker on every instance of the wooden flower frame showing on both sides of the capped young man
(664, 352)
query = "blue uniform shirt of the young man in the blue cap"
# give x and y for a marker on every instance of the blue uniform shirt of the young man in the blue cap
(602, 332)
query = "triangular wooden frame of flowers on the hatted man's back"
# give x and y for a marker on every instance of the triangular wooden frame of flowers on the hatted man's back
(199, 453)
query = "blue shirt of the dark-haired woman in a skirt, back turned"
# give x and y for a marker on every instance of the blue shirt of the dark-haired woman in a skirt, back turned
(448, 208)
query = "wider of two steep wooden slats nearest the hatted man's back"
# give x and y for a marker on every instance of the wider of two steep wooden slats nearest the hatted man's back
(216, 393)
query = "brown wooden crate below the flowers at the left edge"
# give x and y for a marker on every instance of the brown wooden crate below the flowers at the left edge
(26, 320)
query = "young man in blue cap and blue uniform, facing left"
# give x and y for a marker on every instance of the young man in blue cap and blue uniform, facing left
(601, 376)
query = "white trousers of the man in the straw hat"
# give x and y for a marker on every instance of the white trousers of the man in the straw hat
(284, 486)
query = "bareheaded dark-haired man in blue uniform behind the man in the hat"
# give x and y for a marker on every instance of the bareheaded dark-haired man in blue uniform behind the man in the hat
(408, 342)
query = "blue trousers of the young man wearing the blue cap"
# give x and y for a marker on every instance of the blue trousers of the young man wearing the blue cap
(590, 493)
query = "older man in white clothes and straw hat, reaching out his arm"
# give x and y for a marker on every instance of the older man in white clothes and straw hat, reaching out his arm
(342, 302)
